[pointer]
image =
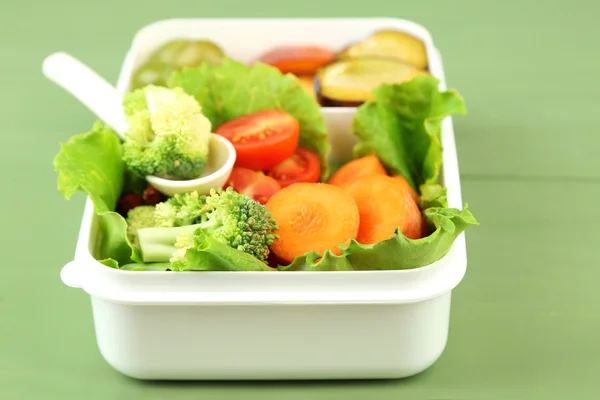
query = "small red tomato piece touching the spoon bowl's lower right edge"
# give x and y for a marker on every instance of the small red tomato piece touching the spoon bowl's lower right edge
(253, 183)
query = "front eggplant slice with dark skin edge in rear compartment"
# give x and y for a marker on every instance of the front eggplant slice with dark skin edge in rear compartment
(349, 83)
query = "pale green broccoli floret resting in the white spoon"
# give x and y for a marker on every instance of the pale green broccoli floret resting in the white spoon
(168, 135)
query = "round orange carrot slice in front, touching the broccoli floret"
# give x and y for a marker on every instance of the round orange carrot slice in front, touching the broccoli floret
(312, 216)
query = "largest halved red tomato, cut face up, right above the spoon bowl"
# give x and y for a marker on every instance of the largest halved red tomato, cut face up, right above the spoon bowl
(262, 139)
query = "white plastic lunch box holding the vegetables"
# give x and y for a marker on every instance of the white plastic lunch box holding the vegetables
(261, 325)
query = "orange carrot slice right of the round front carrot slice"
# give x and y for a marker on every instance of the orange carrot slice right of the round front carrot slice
(384, 205)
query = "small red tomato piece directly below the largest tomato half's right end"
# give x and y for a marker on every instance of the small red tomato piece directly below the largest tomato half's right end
(303, 166)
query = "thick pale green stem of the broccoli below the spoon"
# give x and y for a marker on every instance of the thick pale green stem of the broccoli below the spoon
(158, 244)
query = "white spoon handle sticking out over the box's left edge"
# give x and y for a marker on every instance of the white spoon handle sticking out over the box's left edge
(88, 87)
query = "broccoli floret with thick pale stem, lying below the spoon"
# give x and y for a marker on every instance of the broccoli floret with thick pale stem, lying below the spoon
(230, 217)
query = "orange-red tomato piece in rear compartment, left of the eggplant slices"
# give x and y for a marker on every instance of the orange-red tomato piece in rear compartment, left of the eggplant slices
(298, 60)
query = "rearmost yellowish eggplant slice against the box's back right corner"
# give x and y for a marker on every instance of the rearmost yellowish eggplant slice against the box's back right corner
(389, 44)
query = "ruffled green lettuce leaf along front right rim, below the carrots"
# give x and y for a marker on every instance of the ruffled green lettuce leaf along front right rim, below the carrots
(396, 253)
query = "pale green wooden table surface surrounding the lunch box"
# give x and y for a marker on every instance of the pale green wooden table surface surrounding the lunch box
(526, 319)
